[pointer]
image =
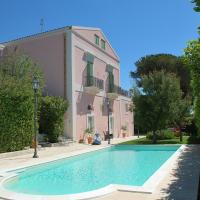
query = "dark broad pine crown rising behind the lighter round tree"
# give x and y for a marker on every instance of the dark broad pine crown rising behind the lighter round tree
(167, 62)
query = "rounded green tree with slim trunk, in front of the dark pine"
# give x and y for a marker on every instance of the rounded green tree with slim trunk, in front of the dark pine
(156, 101)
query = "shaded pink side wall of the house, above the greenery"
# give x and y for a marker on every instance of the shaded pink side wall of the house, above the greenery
(48, 52)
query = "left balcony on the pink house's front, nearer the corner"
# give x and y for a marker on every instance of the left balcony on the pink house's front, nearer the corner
(93, 85)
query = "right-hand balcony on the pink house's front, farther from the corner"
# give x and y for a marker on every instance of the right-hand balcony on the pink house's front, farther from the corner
(114, 91)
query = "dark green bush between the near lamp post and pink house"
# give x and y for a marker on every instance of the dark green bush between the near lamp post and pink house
(52, 117)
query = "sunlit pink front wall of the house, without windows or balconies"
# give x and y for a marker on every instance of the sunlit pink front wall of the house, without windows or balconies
(83, 99)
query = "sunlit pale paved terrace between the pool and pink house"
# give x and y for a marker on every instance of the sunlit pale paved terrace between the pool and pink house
(24, 158)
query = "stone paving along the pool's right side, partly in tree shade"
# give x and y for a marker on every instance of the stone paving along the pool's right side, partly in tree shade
(180, 183)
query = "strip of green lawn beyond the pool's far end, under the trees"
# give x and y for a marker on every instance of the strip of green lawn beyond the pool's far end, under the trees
(186, 140)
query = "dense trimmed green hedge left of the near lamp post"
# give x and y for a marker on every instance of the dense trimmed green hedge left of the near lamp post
(16, 119)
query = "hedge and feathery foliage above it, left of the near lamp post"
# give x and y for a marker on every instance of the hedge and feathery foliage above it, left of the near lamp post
(16, 101)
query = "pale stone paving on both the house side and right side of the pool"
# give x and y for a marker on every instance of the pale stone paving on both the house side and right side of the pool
(180, 183)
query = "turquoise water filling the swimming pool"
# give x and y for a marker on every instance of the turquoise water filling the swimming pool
(121, 164)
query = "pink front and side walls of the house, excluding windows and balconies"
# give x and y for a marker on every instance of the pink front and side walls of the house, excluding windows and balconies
(62, 59)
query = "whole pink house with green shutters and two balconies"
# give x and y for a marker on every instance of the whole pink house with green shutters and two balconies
(80, 65)
